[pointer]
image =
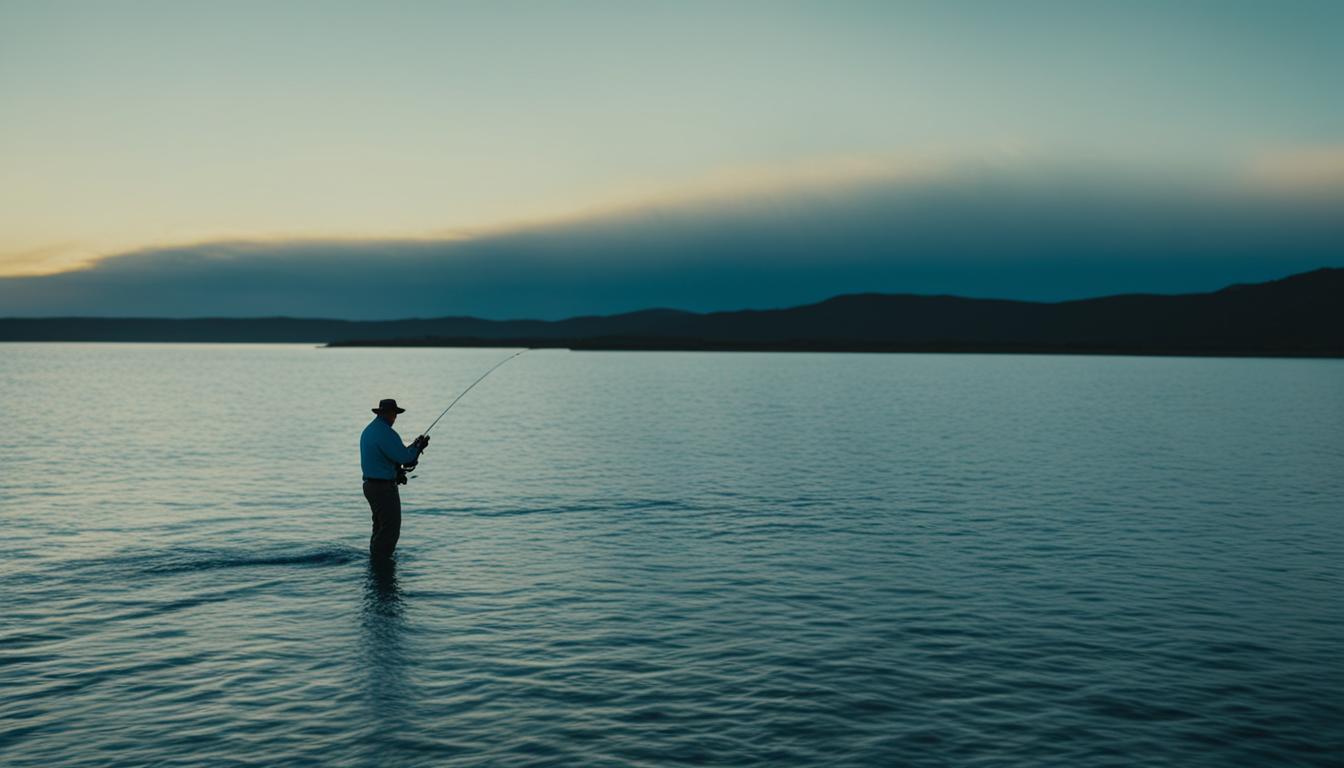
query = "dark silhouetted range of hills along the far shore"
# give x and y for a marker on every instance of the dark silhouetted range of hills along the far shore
(1302, 315)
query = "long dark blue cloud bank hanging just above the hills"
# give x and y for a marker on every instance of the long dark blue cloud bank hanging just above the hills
(993, 229)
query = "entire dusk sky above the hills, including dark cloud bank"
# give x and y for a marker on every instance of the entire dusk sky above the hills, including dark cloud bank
(544, 159)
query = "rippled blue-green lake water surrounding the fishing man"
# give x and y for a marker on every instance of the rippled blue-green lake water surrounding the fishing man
(623, 559)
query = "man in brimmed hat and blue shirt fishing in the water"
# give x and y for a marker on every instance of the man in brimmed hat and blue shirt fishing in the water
(382, 458)
